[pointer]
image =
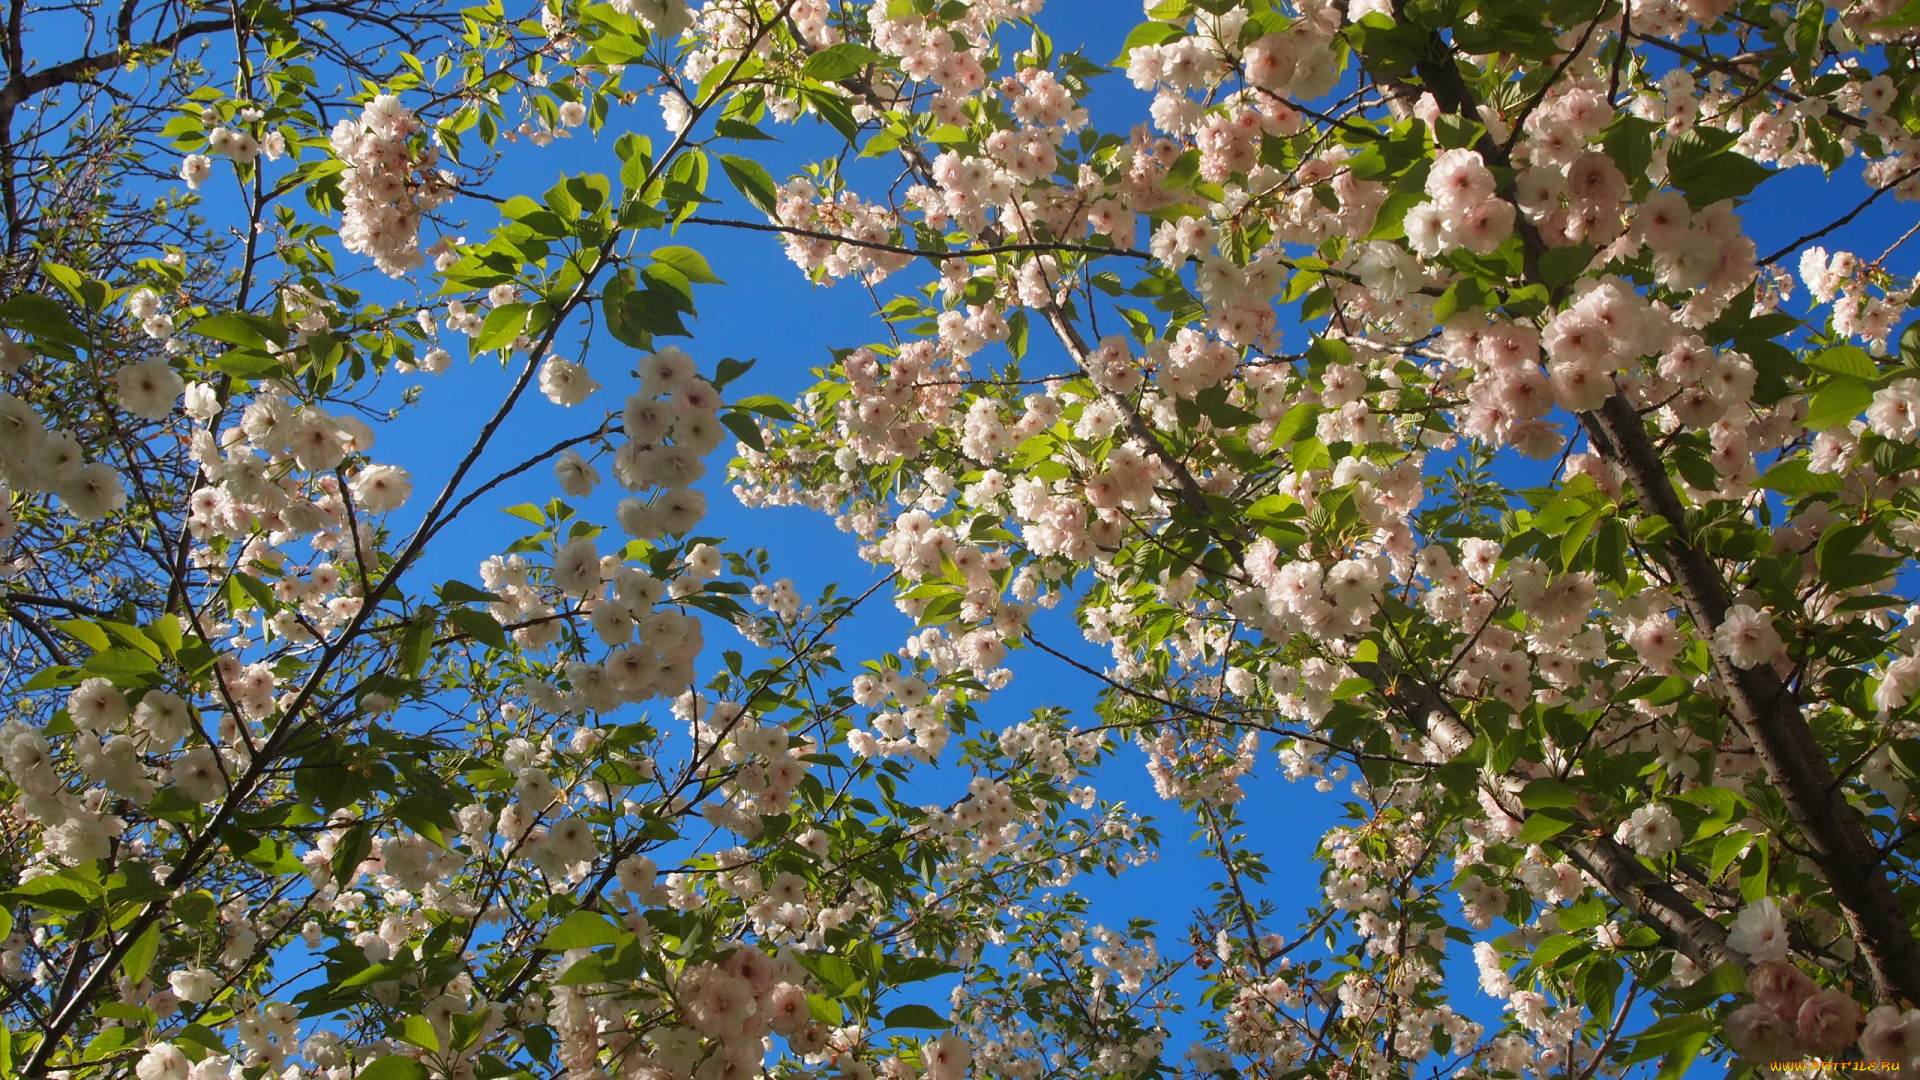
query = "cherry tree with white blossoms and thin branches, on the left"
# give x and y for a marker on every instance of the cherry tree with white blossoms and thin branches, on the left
(283, 795)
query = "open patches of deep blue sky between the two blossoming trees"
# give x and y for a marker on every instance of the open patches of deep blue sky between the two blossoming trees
(771, 314)
